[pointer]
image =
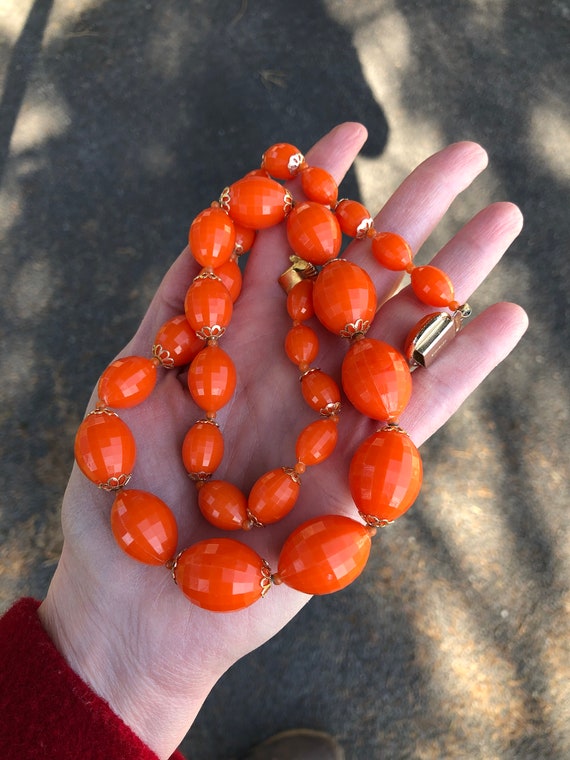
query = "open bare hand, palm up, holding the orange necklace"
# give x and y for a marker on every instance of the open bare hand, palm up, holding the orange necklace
(125, 627)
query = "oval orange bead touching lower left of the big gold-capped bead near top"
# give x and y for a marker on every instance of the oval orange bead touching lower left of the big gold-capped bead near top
(212, 237)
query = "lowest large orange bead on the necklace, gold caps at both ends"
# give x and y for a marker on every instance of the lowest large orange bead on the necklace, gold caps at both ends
(220, 574)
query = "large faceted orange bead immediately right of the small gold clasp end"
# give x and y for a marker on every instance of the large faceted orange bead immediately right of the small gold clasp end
(342, 295)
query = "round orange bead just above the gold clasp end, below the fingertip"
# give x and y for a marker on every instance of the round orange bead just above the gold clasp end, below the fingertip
(313, 232)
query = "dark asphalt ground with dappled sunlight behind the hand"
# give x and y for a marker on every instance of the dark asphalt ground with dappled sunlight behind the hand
(117, 120)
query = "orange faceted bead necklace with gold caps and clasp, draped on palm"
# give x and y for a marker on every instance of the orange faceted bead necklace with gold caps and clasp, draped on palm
(326, 553)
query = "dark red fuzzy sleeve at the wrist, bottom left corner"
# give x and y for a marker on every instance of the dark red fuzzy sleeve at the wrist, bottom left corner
(46, 711)
